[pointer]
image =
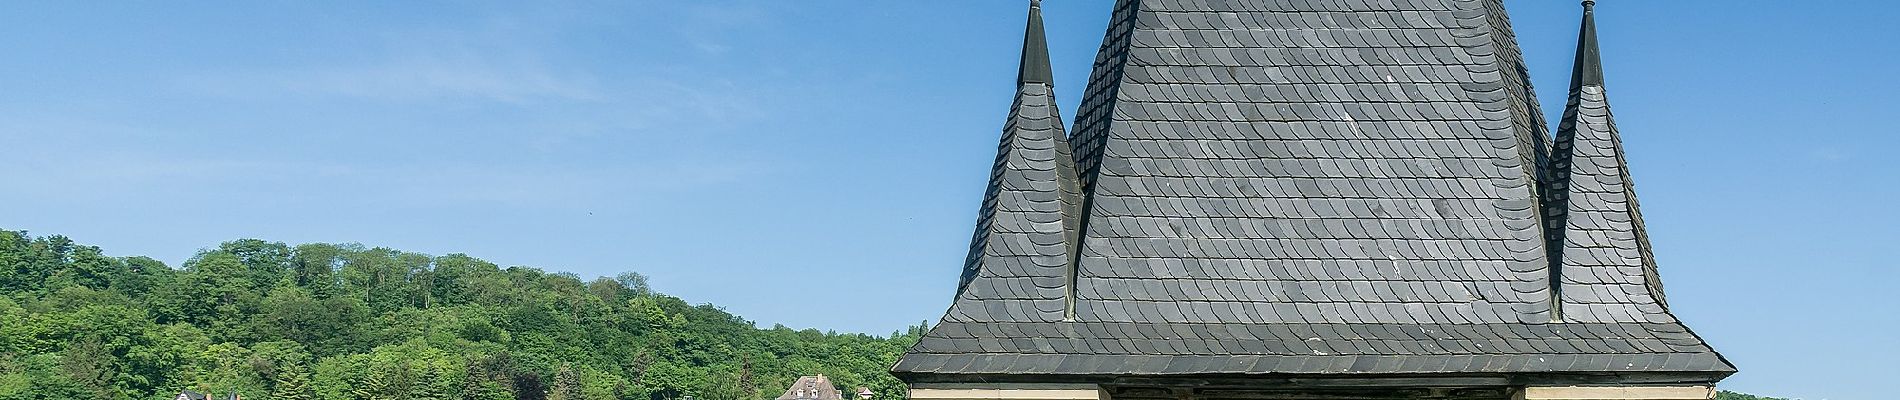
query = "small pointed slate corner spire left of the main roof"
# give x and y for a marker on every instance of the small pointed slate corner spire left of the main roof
(1019, 261)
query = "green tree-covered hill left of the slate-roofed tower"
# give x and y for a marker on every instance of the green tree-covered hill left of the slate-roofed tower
(343, 321)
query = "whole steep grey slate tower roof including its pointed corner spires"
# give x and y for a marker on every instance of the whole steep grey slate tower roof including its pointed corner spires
(1321, 189)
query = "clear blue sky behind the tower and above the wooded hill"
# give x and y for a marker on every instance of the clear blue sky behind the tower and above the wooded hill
(818, 164)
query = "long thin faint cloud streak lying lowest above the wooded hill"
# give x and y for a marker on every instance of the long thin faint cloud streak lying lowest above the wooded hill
(301, 183)
